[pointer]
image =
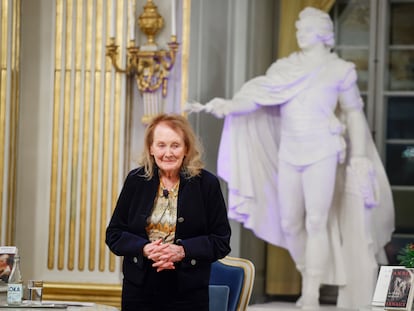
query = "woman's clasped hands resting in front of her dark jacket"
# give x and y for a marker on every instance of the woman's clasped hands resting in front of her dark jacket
(164, 255)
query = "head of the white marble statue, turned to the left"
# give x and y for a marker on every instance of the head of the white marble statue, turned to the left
(315, 23)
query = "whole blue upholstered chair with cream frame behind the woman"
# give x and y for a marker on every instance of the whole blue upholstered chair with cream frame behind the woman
(231, 284)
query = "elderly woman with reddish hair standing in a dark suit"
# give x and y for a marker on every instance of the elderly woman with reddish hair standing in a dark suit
(170, 222)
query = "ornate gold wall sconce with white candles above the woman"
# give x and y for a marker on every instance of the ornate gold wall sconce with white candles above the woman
(149, 64)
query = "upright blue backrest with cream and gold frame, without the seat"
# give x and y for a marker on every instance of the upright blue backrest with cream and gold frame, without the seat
(238, 274)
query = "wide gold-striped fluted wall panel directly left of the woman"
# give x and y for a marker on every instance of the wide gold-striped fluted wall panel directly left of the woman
(88, 138)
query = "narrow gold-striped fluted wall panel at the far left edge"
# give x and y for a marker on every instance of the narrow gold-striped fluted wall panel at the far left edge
(9, 114)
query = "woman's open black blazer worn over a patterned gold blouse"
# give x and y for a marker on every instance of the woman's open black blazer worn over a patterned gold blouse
(202, 226)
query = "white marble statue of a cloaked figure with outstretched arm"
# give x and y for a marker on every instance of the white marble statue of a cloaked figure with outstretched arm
(301, 167)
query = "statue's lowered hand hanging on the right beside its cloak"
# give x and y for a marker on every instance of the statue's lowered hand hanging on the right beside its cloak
(362, 169)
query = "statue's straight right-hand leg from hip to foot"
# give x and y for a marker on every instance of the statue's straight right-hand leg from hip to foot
(319, 184)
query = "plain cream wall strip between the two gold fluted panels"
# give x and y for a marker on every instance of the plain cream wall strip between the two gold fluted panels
(35, 136)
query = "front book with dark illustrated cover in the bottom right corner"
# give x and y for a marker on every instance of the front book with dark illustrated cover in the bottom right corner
(400, 289)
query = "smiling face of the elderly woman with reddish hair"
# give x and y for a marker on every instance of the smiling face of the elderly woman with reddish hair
(168, 149)
